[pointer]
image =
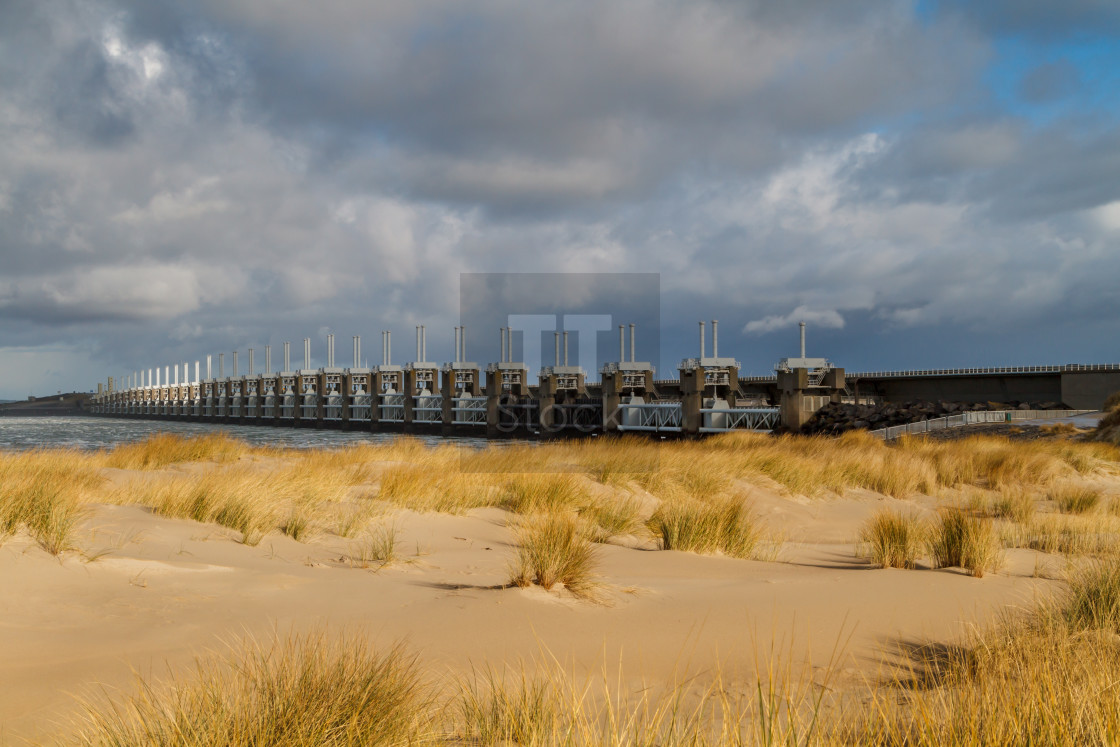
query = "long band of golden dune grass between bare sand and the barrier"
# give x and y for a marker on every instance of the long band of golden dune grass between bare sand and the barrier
(305, 494)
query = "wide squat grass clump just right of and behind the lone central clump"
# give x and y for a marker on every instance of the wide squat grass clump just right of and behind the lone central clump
(694, 526)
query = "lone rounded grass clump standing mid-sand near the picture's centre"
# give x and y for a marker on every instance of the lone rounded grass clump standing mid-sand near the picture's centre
(555, 549)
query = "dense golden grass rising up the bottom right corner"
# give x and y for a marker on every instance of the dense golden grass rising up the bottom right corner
(1044, 678)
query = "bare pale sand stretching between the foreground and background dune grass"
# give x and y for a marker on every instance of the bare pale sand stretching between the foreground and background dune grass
(151, 594)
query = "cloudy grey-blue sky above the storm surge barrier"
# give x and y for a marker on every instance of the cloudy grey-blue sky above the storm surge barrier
(927, 184)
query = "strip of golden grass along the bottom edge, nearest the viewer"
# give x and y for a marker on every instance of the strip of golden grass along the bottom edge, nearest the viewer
(1041, 678)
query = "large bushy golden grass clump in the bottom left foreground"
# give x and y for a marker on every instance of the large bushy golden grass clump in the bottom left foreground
(300, 692)
